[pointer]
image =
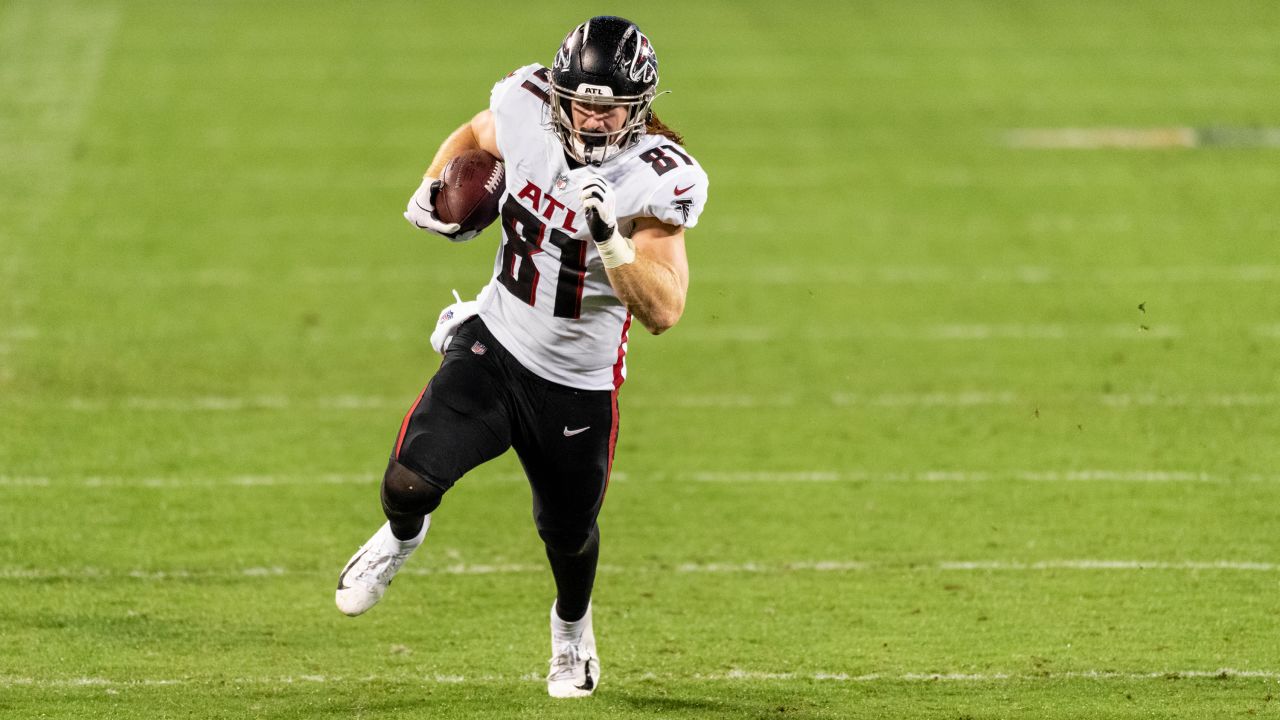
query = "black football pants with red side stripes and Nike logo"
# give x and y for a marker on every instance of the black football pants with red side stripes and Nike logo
(481, 403)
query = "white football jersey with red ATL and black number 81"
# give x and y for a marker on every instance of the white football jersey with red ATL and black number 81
(550, 303)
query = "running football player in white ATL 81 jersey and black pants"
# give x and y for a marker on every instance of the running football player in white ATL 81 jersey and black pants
(598, 197)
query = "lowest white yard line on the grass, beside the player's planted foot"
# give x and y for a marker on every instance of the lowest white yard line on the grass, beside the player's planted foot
(726, 677)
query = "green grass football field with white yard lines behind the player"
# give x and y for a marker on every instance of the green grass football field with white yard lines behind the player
(950, 429)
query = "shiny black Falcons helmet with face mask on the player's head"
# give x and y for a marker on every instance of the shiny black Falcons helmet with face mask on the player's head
(604, 63)
